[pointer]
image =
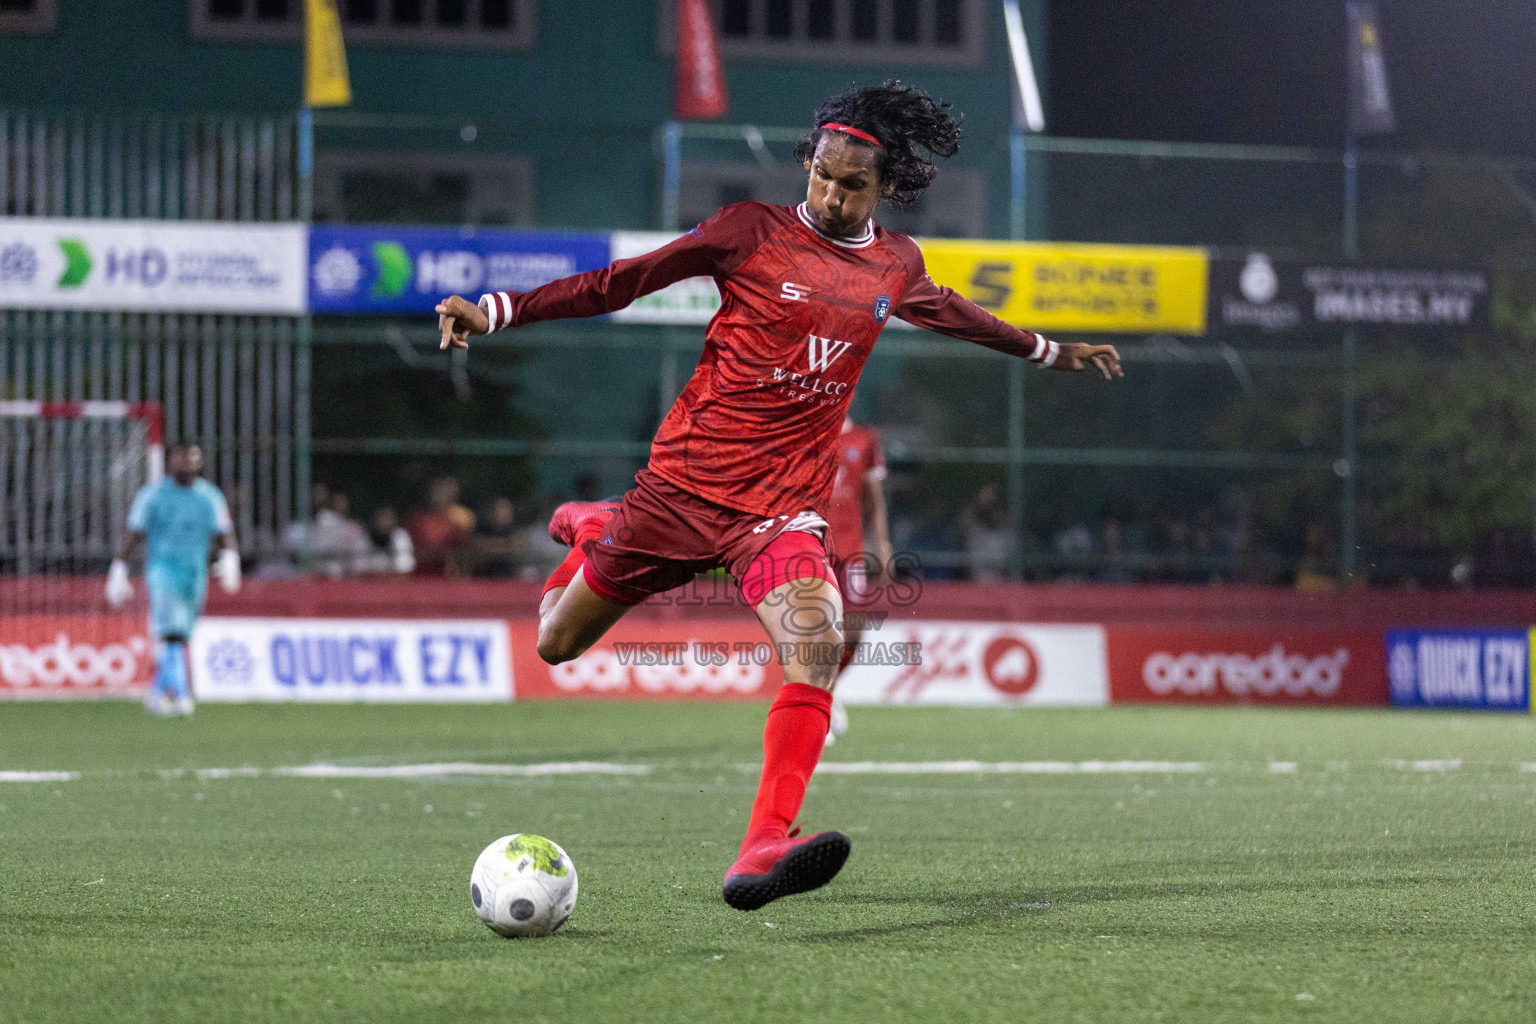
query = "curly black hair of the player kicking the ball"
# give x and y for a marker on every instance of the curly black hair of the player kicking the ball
(907, 122)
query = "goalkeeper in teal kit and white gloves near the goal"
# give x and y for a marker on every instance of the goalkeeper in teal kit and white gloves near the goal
(179, 520)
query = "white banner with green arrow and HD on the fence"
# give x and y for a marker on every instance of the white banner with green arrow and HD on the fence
(170, 266)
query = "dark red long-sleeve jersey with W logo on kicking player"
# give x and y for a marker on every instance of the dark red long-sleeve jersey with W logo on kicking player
(756, 428)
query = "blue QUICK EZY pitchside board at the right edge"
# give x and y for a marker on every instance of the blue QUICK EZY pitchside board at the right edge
(1460, 669)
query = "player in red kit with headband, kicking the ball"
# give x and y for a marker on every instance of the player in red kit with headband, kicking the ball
(743, 466)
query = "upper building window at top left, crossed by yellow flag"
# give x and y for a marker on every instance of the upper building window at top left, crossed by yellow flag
(417, 24)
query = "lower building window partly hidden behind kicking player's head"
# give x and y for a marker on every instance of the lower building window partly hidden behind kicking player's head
(955, 205)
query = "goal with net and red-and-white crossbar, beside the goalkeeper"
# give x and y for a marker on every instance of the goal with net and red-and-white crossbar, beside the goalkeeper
(68, 477)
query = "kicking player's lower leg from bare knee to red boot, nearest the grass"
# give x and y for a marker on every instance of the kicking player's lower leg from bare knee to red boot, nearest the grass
(803, 621)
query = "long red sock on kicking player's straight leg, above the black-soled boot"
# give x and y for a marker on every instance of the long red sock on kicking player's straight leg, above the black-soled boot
(793, 741)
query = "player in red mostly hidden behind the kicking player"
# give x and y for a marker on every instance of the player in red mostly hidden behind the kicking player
(858, 486)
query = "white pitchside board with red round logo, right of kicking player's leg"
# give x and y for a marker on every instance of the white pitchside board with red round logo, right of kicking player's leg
(979, 664)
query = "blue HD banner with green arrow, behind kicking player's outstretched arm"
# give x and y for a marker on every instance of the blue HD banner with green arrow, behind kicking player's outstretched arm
(411, 269)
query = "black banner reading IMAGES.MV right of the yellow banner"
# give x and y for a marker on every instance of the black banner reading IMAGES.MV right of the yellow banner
(1279, 297)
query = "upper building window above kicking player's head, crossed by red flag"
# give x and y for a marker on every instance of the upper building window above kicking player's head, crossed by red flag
(916, 31)
